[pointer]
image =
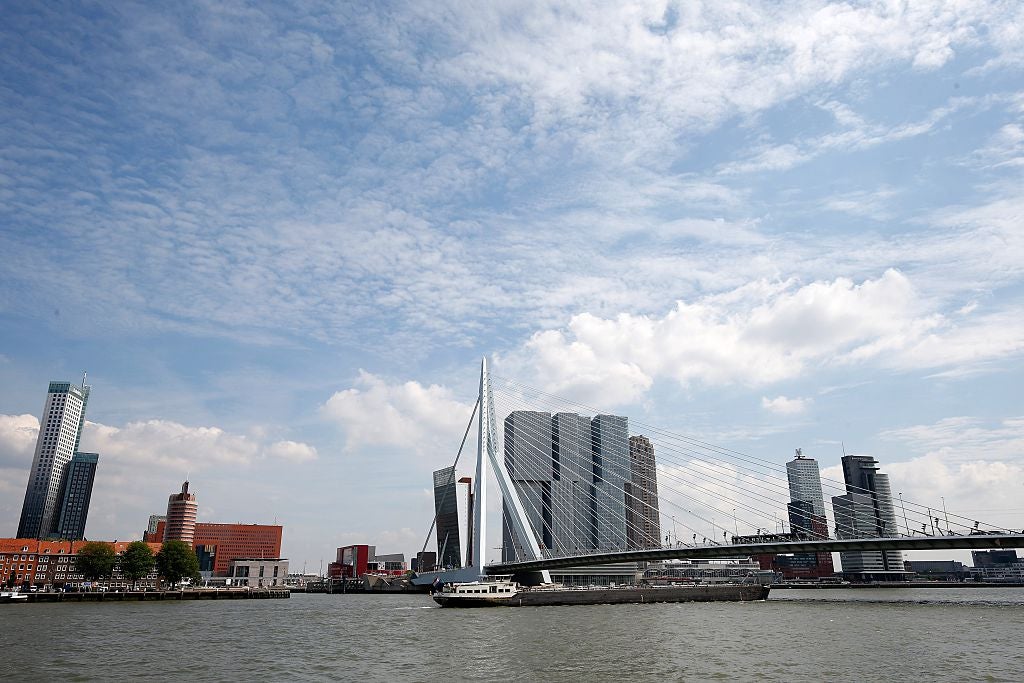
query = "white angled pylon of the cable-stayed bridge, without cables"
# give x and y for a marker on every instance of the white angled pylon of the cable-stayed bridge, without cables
(488, 453)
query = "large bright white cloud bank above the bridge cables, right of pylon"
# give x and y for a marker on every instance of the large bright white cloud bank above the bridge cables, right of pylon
(758, 334)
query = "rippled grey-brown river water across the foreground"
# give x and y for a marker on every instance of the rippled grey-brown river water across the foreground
(821, 635)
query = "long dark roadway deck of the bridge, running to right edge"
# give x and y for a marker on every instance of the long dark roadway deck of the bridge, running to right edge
(972, 542)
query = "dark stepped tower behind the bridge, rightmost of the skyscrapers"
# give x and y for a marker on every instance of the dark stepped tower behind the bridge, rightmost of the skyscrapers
(867, 510)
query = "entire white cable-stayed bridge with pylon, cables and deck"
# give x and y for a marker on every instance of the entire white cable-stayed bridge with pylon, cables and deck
(577, 492)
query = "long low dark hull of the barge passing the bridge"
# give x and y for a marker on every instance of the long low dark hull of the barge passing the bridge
(600, 596)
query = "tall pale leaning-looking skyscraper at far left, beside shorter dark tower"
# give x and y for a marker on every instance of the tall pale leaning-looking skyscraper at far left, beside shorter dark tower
(60, 434)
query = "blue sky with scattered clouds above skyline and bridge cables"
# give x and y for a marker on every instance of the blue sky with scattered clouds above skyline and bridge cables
(280, 237)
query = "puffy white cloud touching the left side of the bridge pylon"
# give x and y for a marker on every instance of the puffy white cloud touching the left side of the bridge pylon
(408, 415)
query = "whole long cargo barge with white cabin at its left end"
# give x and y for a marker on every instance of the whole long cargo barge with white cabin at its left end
(505, 593)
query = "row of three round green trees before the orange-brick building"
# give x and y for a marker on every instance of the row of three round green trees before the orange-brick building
(176, 562)
